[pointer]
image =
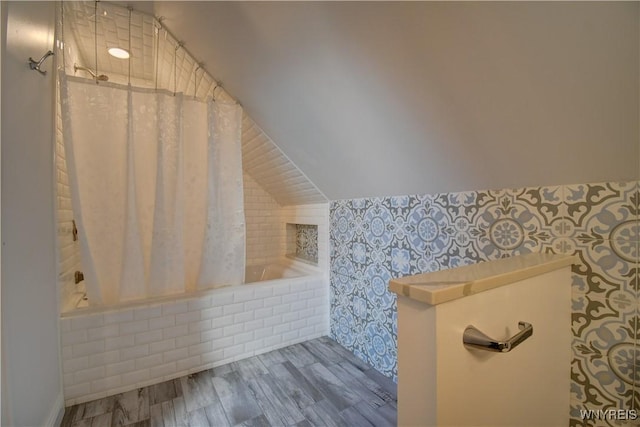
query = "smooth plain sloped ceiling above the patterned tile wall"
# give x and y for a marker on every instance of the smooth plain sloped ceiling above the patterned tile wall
(384, 98)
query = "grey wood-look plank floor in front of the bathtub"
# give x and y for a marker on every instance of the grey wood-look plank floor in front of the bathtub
(315, 383)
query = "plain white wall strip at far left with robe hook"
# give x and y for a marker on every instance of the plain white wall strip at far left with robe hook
(30, 364)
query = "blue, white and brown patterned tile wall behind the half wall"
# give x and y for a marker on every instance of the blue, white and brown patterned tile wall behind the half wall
(375, 239)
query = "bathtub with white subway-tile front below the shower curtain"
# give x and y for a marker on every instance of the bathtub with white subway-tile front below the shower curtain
(110, 350)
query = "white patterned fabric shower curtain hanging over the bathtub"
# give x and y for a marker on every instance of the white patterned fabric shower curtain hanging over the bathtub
(156, 188)
